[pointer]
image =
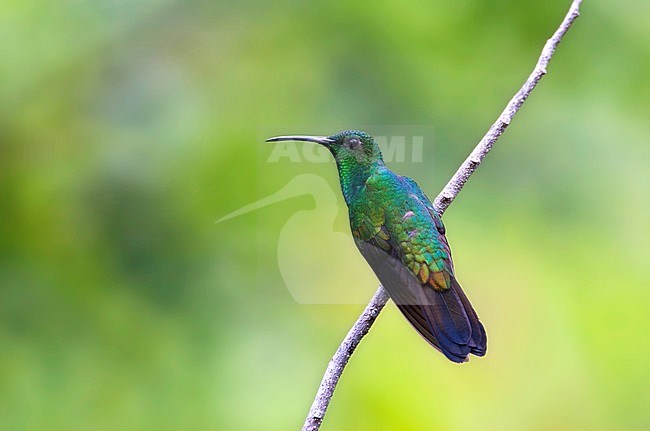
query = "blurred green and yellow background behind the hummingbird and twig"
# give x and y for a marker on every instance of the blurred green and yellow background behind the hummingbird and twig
(128, 128)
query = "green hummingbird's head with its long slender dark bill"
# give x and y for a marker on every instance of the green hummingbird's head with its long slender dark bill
(350, 147)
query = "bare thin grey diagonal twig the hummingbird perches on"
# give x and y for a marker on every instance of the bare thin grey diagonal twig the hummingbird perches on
(441, 203)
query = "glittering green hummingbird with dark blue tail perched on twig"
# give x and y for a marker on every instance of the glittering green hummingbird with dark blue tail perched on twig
(401, 236)
